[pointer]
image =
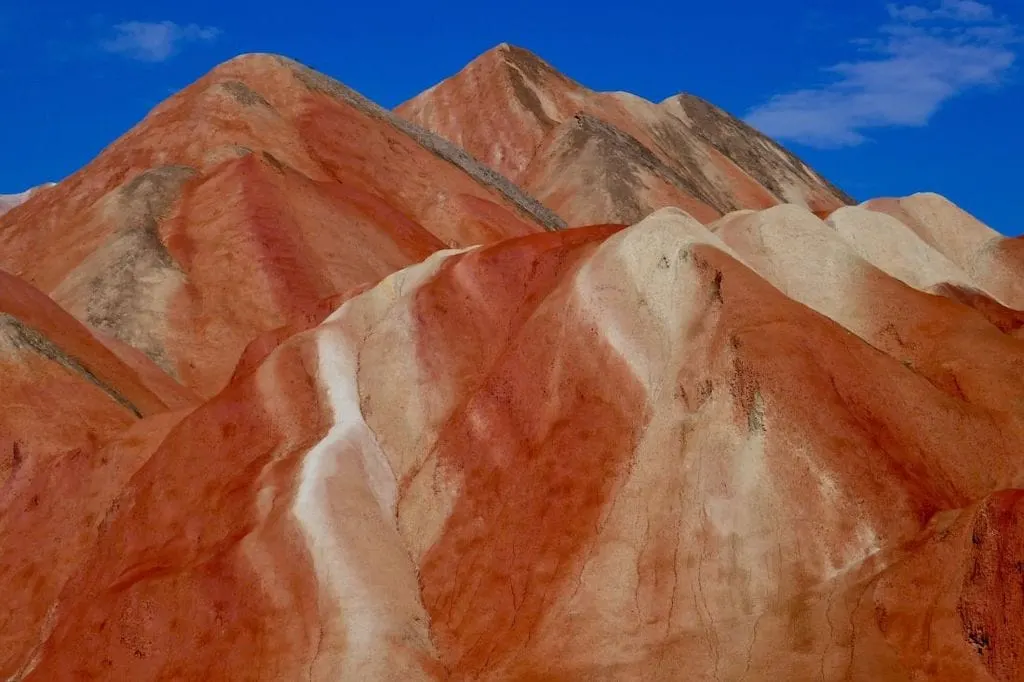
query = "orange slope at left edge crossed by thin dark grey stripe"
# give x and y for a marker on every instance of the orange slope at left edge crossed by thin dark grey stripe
(71, 406)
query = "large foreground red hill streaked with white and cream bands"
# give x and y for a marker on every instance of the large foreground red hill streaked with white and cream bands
(765, 449)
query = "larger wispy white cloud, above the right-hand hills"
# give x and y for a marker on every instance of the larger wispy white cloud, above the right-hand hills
(921, 58)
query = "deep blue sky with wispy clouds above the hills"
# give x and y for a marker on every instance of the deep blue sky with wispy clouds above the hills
(884, 99)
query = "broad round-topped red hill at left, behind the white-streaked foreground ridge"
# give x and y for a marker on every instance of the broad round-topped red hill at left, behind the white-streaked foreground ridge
(266, 184)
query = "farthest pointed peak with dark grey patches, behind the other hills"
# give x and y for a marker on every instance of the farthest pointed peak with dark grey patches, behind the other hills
(612, 157)
